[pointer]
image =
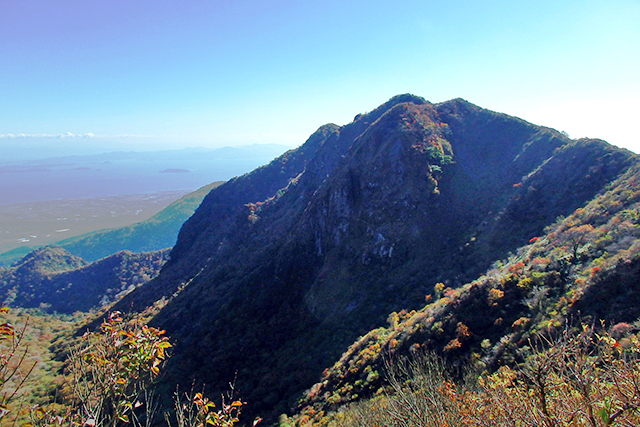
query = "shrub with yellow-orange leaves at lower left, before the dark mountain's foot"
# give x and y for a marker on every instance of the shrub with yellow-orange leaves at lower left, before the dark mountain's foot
(109, 383)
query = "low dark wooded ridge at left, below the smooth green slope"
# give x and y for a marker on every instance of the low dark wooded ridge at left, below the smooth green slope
(54, 280)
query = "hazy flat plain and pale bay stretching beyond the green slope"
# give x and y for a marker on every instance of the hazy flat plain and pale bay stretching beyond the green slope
(46, 200)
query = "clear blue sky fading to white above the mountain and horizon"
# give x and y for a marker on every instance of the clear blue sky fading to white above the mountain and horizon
(213, 72)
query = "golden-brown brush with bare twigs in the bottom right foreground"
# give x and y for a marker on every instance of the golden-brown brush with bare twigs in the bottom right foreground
(577, 379)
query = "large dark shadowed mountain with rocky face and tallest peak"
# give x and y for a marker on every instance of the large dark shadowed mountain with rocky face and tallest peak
(280, 269)
